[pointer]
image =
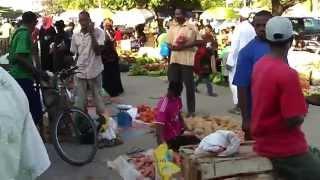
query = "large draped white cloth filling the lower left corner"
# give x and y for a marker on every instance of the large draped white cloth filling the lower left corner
(22, 152)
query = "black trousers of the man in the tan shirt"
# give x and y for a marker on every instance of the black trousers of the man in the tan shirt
(184, 74)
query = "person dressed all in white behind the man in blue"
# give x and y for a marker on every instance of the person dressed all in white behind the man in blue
(243, 34)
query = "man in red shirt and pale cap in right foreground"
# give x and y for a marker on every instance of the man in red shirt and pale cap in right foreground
(279, 108)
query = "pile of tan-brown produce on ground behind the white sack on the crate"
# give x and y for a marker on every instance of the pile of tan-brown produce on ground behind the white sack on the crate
(203, 126)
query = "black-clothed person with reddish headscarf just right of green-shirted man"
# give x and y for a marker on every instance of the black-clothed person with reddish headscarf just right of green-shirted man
(46, 37)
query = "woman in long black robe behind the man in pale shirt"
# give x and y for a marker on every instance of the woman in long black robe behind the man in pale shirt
(111, 74)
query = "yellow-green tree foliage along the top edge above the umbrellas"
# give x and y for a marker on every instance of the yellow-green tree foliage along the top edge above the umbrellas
(54, 6)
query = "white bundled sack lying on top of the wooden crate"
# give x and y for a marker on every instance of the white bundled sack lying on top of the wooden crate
(224, 143)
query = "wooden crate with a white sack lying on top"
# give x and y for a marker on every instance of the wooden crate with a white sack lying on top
(246, 164)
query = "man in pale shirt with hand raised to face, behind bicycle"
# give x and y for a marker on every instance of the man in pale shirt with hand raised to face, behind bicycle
(86, 44)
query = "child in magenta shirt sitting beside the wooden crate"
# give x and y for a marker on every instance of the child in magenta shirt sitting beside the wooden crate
(169, 122)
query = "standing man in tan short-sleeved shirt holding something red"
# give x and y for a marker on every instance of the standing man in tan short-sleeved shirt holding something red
(183, 39)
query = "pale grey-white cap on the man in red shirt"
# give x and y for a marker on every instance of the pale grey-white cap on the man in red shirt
(279, 29)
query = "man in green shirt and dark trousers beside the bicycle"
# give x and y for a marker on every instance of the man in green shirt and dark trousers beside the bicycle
(21, 64)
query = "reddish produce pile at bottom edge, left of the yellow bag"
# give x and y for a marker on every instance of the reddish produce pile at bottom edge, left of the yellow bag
(144, 164)
